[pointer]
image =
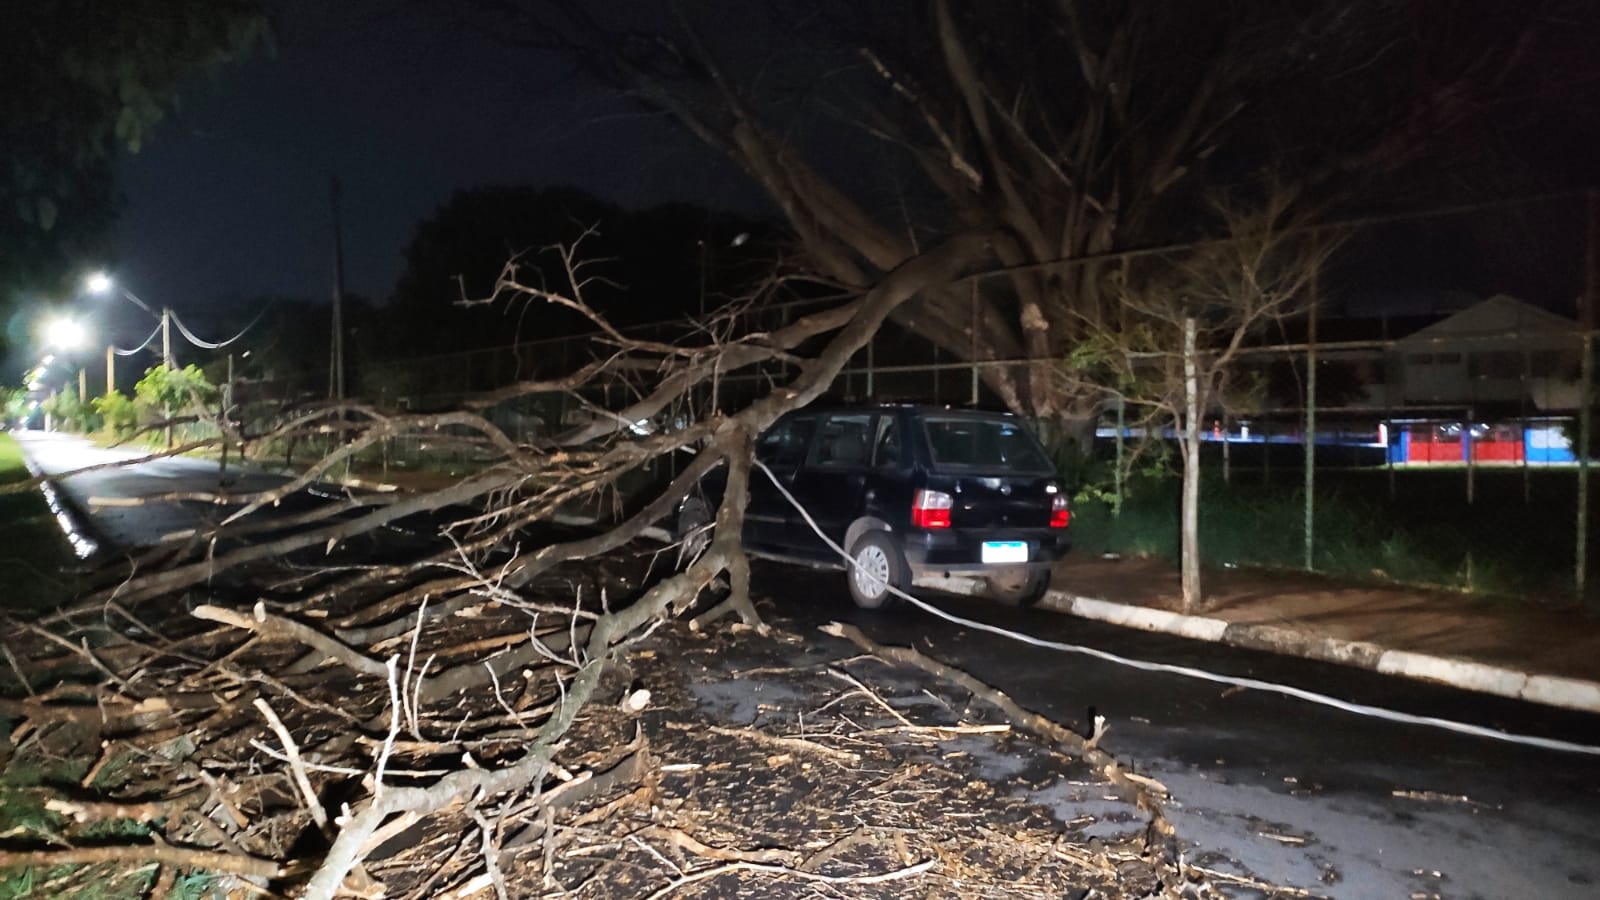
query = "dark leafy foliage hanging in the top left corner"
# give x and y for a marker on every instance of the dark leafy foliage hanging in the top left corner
(86, 79)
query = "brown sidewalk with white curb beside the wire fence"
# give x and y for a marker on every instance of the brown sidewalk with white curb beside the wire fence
(1521, 651)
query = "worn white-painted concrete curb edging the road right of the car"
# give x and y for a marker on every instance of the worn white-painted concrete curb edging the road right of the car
(1468, 675)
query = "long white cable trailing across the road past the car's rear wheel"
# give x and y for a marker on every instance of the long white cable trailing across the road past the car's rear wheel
(1202, 675)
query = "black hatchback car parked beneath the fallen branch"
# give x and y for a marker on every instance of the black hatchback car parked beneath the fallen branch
(918, 496)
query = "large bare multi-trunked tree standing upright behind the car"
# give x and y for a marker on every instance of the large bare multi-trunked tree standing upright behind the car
(1066, 132)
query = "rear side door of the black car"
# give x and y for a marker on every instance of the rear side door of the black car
(831, 483)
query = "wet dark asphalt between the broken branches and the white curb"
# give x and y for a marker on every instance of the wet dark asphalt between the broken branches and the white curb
(1290, 792)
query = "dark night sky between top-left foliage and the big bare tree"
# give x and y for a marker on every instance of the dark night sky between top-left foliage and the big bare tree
(230, 201)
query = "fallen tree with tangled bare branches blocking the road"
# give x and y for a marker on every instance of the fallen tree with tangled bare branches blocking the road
(268, 702)
